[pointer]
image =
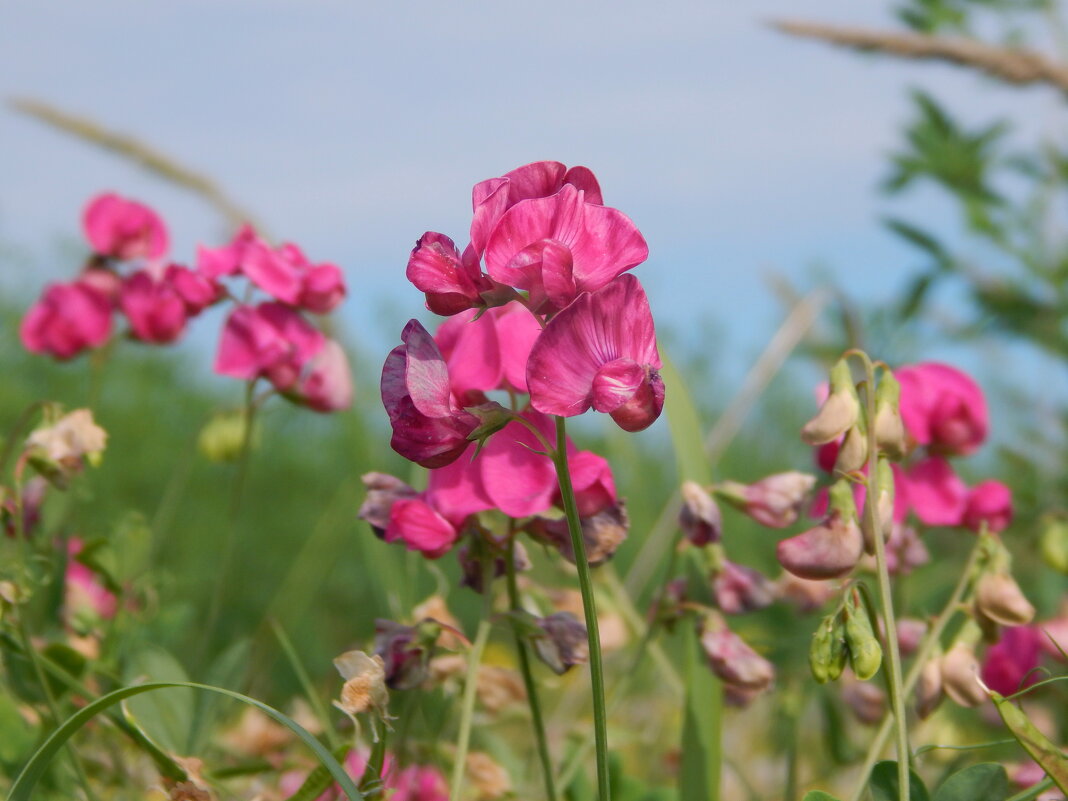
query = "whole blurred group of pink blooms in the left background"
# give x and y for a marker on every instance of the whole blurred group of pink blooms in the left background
(130, 273)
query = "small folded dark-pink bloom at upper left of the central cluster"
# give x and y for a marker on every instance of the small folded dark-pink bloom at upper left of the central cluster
(452, 282)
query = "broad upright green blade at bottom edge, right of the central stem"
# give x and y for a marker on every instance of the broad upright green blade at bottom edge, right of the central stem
(699, 776)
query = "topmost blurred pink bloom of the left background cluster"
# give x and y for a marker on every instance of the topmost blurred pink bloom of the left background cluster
(123, 229)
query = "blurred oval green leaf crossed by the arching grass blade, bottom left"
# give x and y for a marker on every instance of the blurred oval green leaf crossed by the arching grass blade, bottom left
(165, 718)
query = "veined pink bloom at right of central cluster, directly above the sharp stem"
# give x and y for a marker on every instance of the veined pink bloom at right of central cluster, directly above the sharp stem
(601, 352)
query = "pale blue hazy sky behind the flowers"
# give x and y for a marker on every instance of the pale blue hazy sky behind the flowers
(352, 129)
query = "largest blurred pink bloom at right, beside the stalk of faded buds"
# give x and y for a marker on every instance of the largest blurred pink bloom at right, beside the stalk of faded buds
(944, 409)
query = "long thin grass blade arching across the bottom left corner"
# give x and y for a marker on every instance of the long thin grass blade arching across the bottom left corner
(23, 790)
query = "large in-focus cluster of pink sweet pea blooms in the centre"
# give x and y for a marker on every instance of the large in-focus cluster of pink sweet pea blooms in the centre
(539, 308)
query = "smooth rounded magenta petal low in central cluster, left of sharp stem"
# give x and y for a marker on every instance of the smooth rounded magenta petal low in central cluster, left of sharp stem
(517, 480)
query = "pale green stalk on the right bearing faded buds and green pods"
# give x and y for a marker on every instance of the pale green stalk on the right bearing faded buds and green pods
(874, 531)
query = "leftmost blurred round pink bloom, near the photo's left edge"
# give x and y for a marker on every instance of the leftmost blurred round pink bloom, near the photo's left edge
(68, 320)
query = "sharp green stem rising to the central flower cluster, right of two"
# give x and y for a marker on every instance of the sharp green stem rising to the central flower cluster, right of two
(589, 608)
